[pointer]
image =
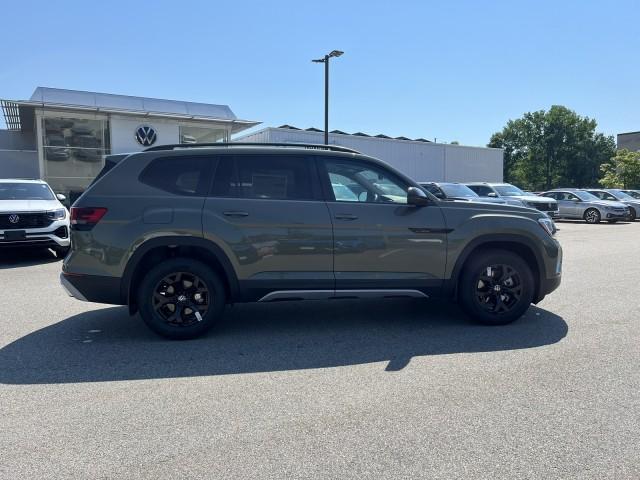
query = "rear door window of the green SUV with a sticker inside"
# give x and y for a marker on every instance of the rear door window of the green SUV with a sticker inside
(267, 177)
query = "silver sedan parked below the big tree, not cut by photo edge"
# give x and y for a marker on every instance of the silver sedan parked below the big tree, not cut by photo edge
(579, 204)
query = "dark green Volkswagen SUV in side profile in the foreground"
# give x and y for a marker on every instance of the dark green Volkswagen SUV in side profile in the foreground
(178, 232)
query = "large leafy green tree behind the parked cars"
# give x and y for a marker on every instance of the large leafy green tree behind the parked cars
(547, 149)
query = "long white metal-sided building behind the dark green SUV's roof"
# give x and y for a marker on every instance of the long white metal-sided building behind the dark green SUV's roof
(419, 159)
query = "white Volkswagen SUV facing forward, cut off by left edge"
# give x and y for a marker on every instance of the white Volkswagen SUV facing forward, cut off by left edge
(31, 215)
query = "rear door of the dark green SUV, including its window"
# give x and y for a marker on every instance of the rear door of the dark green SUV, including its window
(266, 211)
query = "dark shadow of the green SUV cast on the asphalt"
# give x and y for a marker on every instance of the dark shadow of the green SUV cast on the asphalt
(108, 345)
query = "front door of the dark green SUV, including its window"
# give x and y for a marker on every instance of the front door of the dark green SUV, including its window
(380, 242)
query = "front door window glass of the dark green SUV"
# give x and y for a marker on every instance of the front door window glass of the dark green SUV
(370, 183)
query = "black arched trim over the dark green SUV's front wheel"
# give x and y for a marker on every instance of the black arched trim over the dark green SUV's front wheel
(521, 246)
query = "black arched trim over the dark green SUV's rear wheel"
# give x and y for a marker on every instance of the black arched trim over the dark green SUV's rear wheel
(180, 241)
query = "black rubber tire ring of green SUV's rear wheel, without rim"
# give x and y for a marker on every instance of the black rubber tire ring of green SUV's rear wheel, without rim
(156, 274)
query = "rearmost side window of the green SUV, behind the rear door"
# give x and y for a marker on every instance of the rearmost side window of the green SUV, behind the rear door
(188, 176)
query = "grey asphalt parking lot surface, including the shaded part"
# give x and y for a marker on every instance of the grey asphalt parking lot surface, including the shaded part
(343, 389)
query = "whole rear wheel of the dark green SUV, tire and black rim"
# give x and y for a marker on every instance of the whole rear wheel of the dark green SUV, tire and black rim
(189, 286)
